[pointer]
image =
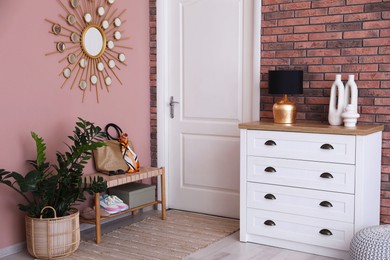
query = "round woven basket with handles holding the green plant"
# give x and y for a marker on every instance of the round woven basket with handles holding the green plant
(49, 238)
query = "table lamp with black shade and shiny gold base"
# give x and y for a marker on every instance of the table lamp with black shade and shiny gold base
(285, 82)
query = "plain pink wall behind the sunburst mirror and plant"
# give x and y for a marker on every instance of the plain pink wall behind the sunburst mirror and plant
(31, 97)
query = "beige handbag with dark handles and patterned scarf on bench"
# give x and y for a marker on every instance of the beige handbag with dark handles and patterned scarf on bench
(117, 156)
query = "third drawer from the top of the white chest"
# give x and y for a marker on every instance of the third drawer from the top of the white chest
(312, 203)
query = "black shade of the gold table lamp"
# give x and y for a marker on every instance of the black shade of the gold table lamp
(285, 82)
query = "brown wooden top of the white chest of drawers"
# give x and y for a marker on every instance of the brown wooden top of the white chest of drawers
(312, 127)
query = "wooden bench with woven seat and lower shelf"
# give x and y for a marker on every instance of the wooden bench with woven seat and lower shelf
(116, 180)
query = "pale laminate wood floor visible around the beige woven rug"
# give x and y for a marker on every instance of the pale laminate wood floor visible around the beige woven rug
(229, 248)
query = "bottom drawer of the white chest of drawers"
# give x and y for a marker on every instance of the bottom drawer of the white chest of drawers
(313, 231)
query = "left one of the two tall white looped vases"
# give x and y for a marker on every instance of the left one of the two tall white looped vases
(336, 93)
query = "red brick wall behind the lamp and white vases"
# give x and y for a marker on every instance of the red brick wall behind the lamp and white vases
(325, 38)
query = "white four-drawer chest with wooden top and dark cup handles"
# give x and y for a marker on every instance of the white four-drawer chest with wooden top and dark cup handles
(308, 187)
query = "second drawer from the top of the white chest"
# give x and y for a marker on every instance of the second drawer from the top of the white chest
(304, 174)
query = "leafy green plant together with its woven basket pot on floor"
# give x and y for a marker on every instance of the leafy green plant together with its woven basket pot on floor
(59, 187)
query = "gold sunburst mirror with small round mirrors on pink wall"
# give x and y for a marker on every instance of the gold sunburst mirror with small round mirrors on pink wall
(90, 37)
